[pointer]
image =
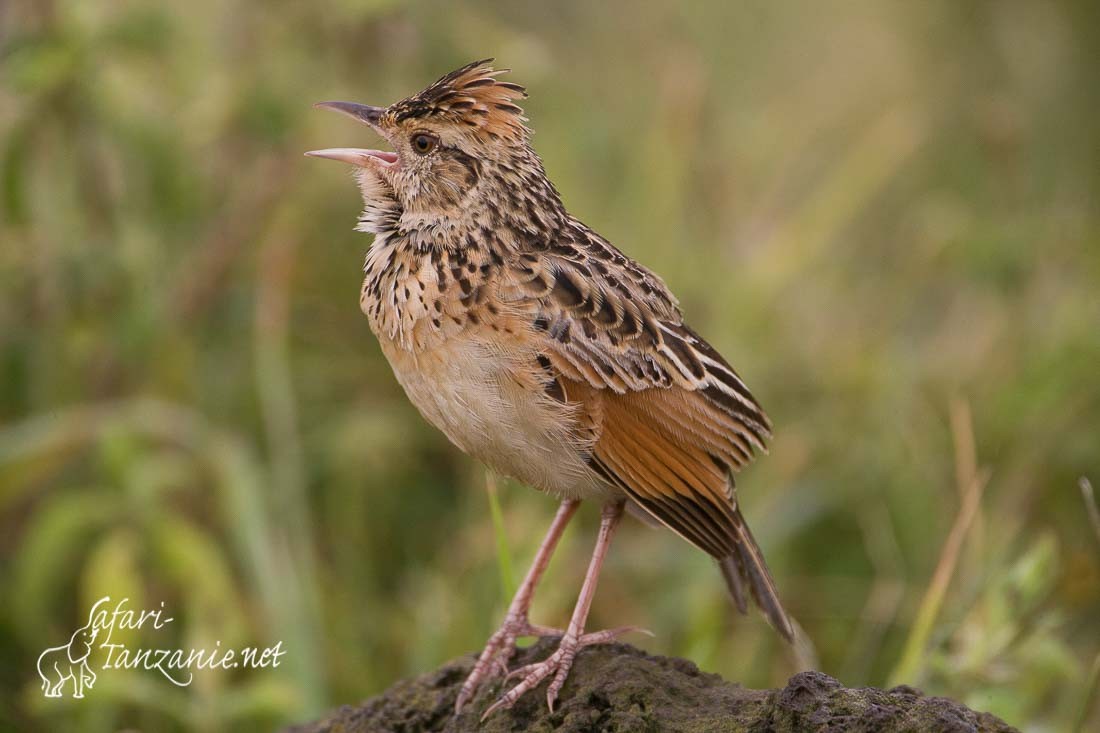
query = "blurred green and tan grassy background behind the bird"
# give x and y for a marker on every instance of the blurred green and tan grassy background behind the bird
(886, 215)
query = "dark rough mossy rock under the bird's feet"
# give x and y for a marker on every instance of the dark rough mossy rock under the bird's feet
(618, 688)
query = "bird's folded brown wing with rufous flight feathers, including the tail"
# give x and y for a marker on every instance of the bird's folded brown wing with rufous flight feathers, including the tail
(676, 419)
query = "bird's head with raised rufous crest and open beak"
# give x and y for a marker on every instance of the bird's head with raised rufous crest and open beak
(455, 146)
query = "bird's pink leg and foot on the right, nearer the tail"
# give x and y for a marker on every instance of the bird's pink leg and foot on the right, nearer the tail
(559, 663)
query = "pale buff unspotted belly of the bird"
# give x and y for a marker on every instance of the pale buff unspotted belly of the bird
(487, 406)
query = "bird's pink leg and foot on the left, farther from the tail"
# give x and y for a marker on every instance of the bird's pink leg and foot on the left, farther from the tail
(502, 644)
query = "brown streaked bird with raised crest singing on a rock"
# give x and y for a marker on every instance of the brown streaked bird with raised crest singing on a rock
(541, 349)
